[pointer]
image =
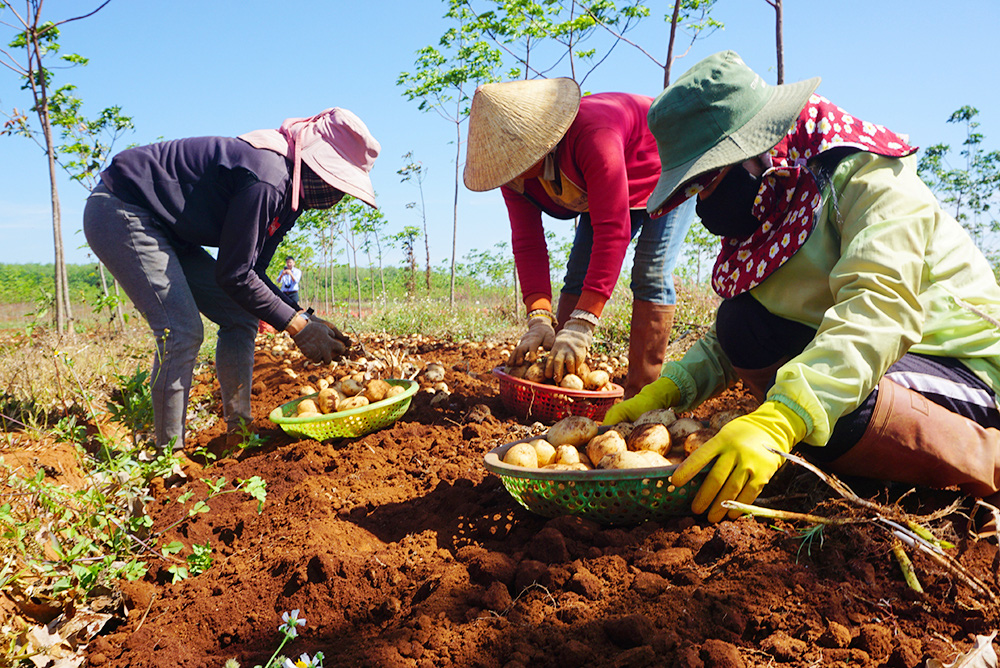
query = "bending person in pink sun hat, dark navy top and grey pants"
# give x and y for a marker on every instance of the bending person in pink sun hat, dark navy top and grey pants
(157, 205)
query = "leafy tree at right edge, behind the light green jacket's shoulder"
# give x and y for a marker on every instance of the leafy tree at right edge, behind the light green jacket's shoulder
(970, 191)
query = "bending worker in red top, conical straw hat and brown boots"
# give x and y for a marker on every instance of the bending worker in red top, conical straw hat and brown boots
(552, 152)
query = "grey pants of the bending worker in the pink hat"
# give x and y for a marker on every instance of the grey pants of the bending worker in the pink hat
(171, 284)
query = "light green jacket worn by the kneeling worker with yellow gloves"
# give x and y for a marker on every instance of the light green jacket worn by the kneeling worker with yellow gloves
(886, 271)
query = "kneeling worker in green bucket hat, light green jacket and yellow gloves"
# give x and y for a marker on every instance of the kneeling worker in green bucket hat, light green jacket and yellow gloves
(859, 312)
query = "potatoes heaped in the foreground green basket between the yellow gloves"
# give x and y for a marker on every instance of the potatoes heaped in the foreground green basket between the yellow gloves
(657, 438)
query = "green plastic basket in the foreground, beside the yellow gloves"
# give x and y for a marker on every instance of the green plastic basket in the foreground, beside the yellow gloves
(627, 496)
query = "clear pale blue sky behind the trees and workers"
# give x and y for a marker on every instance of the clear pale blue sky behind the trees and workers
(189, 68)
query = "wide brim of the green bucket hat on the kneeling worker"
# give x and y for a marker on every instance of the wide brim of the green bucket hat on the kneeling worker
(758, 135)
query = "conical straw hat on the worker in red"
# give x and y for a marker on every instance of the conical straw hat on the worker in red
(515, 124)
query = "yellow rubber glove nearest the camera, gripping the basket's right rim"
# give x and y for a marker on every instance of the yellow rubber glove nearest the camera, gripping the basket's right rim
(743, 463)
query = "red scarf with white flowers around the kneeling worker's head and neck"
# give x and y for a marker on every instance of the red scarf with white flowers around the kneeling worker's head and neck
(789, 197)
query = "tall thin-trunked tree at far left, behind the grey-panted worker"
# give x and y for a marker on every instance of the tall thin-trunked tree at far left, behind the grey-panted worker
(38, 40)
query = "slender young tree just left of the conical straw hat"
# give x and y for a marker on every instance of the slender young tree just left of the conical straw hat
(443, 80)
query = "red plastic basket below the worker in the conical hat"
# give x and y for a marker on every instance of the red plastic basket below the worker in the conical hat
(548, 403)
